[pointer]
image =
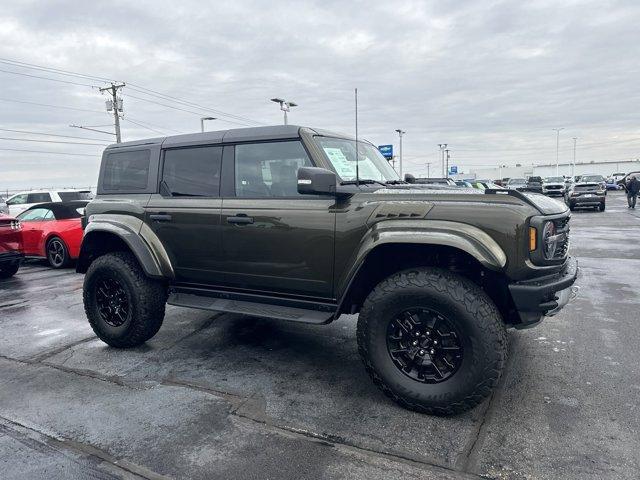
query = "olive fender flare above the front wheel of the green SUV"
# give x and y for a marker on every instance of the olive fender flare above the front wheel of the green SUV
(467, 238)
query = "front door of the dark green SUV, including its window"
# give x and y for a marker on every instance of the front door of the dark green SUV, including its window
(274, 239)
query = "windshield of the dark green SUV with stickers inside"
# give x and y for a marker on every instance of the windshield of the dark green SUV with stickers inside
(342, 156)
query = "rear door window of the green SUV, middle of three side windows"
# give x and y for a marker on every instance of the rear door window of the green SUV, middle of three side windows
(192, 172)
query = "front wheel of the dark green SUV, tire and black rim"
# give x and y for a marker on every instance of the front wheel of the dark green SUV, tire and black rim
(433, 341)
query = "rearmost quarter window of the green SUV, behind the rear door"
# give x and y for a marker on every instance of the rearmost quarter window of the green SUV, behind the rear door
(126, 171)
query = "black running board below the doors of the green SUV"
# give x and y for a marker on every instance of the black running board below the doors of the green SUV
(254, 309)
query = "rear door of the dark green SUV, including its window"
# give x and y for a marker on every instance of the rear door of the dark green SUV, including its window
(185, 214)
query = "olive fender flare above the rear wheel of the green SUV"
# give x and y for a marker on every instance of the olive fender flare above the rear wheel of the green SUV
(109, 235)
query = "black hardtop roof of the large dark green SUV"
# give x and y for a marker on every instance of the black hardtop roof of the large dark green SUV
(251, 134)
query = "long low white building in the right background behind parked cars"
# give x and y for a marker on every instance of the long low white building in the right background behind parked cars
(523, 171)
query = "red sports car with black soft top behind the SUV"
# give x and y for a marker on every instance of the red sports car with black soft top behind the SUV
(53, 231)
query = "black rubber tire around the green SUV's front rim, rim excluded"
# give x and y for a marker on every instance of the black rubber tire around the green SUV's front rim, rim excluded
(466, 305)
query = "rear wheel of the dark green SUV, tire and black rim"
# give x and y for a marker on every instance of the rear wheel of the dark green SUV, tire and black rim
(125, 308)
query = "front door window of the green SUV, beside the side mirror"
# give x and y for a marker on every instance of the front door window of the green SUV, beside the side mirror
(269, 169)
